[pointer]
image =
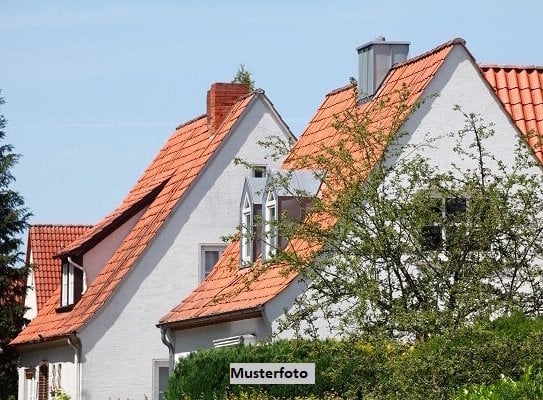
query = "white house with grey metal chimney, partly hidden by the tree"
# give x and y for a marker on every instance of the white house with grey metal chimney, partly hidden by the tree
(234, 304)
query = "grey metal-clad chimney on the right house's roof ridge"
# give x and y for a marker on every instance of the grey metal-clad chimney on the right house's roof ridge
(375, 59)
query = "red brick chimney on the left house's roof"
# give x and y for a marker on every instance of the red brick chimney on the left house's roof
(220, 99)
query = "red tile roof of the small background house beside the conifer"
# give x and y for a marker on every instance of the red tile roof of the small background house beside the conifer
(45, 241)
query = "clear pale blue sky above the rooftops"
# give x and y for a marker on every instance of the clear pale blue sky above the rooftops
(93, 89)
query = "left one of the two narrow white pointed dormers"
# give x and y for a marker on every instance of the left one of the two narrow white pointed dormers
(250, 211)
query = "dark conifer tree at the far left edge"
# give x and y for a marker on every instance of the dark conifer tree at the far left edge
(13, 221)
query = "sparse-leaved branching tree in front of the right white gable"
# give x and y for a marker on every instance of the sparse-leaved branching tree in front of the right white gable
(395, 246)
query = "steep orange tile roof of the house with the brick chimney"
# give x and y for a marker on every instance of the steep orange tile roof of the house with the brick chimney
(160, 188)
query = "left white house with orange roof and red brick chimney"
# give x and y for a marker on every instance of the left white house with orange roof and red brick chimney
(96, 337)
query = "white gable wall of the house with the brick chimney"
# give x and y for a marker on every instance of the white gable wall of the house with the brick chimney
(121, 342)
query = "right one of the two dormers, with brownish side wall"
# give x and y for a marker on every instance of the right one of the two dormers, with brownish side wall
(286, 195)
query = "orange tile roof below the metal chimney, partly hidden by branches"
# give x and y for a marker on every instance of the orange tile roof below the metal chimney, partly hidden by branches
(229, 289)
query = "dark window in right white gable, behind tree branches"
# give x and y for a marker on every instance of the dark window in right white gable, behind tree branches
(446, 228)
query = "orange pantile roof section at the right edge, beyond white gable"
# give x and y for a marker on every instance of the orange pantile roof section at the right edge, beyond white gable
(520, 89)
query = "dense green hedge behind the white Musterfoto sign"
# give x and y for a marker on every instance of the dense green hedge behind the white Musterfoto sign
(380, 370)
